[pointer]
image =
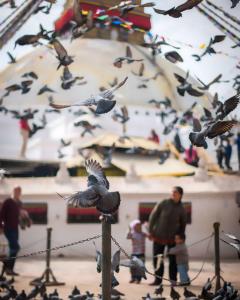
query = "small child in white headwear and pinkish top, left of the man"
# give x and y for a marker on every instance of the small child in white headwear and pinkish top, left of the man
(138, 246)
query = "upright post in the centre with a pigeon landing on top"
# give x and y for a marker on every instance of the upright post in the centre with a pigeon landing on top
(106, 260)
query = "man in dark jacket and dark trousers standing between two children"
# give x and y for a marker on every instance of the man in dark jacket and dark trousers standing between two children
(167, 219)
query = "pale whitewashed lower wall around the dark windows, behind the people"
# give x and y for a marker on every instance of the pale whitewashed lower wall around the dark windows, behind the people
(207, 208)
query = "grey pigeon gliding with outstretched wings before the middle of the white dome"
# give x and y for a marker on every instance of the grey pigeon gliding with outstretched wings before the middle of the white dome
(103, 101)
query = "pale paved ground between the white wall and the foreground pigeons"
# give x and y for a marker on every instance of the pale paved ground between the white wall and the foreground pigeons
(83, 274)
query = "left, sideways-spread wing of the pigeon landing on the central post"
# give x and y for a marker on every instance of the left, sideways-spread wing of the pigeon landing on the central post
(87, 198)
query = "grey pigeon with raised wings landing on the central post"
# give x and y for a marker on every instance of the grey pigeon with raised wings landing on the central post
(97, 193)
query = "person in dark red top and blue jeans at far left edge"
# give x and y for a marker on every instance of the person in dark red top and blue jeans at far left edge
(9, 221)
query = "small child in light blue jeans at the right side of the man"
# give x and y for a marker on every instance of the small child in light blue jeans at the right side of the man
(180, 250)
